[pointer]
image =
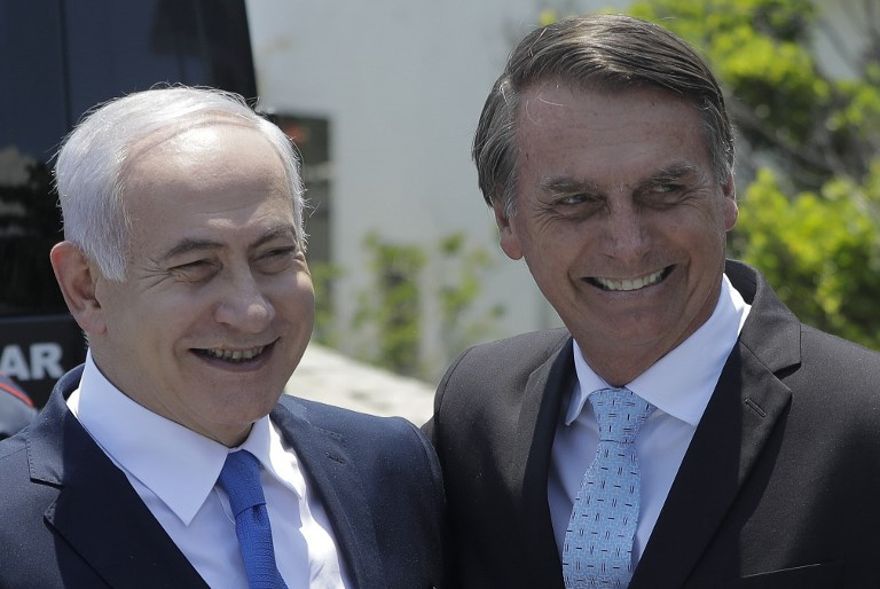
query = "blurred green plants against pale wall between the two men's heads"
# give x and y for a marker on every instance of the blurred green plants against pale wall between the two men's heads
(389, 312)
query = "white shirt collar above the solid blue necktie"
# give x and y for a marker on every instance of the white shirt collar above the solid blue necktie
(177, 464)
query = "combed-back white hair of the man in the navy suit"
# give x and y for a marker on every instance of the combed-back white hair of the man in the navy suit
(90, 166)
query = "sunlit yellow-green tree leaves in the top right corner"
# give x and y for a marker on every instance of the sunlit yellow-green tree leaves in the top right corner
(811, 125)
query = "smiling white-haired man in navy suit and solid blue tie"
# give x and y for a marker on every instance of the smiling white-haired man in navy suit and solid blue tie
(171, 457)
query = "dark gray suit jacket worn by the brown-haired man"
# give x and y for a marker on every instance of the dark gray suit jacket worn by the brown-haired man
(779, 487)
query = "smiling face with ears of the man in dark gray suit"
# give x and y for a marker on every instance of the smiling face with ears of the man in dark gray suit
(620, 219)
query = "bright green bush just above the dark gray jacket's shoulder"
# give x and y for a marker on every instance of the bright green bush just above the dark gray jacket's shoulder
(822, 251)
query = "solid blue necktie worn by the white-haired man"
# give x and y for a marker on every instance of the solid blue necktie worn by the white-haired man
(240, 478)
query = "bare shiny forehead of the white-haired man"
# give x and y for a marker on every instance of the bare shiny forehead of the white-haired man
(220, 183)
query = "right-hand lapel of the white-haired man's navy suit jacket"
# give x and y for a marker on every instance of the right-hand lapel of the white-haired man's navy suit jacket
(334, 477)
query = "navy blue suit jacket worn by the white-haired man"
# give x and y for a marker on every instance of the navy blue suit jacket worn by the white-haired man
(71, 519)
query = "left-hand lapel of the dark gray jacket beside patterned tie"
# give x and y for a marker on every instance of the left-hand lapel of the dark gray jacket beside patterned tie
(529, 464)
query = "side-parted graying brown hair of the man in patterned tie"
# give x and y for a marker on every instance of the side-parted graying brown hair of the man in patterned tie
(609, 52)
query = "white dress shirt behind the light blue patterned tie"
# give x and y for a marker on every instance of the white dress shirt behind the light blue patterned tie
(679, 385)
